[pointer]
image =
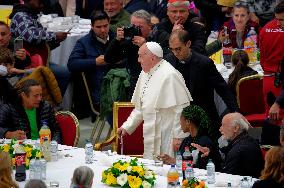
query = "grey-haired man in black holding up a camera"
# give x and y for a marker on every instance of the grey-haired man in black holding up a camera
(122, 49)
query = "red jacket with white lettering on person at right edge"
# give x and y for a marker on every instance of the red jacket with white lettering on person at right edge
(271, 44)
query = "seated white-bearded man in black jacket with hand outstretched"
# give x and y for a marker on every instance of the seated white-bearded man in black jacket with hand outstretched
(242, 154)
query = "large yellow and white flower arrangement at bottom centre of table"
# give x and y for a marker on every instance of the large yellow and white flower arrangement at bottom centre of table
(129, 174)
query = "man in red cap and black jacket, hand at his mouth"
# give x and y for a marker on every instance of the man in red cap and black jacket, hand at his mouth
(179, 18)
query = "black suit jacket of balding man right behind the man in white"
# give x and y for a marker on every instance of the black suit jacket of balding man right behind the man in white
(202, 78)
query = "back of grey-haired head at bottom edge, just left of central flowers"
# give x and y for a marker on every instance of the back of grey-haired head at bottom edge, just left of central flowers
(82, 177)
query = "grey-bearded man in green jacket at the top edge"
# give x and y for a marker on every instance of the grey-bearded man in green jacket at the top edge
(119, 16)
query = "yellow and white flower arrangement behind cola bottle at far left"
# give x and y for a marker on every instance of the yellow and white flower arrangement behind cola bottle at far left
(31, 151)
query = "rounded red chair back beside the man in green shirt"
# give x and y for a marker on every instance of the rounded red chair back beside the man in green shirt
(69, 126)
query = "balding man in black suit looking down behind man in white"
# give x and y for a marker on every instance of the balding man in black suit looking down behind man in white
(201, 77)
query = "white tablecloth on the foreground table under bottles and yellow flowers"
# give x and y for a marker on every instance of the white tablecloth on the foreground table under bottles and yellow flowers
(62, 170)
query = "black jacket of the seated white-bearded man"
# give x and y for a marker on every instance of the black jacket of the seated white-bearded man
(243, 157)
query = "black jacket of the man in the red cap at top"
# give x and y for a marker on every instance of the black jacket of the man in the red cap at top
(196, 33)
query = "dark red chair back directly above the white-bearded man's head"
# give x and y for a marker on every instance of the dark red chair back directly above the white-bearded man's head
(250, 95)
